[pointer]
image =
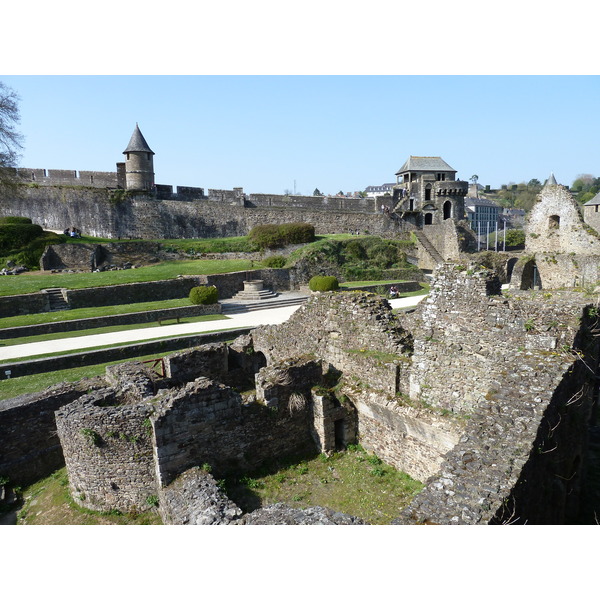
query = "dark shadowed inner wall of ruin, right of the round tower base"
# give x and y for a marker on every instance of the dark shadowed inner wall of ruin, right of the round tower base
(206, 422)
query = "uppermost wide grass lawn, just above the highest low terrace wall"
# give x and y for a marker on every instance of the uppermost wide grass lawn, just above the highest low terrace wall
(34, 281)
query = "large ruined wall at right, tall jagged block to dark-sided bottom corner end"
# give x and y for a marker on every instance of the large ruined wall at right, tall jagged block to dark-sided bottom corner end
(506, 363)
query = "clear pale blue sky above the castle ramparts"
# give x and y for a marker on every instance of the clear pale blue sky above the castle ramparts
(271, 133)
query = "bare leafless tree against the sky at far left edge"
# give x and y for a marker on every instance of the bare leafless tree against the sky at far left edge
(10, 139)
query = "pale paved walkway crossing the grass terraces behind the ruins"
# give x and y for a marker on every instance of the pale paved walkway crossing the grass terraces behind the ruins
(255, 318)
